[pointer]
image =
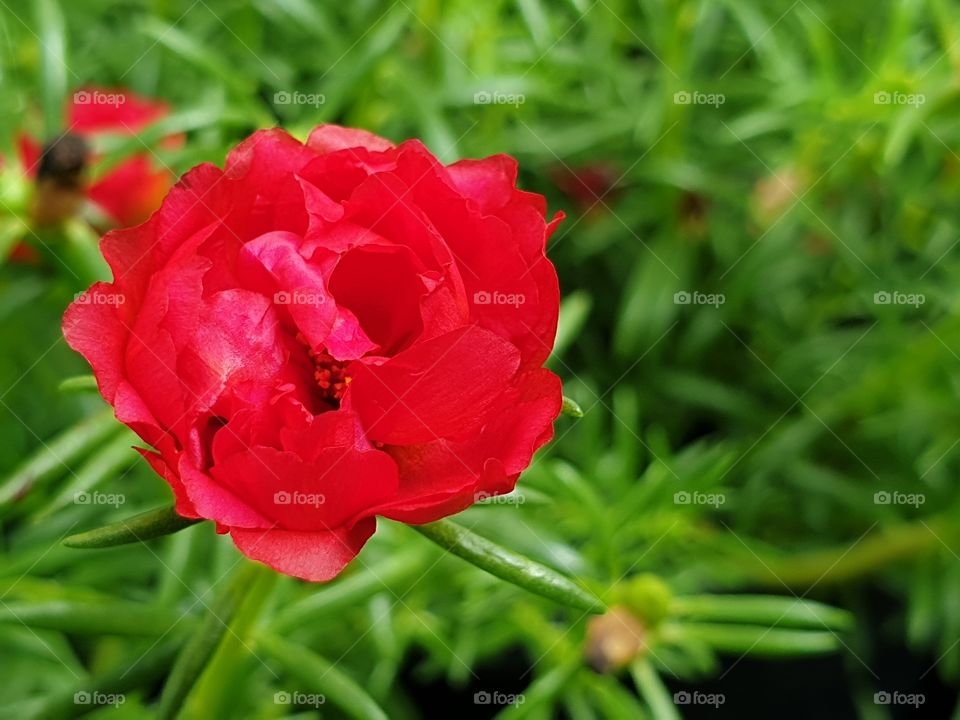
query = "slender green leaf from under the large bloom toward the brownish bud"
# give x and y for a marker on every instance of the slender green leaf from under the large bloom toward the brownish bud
(510, 566)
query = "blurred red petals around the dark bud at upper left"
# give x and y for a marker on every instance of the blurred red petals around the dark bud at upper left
(131, 190)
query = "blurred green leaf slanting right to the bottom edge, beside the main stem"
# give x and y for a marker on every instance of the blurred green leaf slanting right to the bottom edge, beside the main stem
(321, 675)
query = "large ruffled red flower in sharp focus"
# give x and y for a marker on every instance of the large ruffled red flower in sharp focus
(323, 333)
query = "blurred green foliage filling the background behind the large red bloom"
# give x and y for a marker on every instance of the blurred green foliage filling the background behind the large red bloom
(760, 320)
